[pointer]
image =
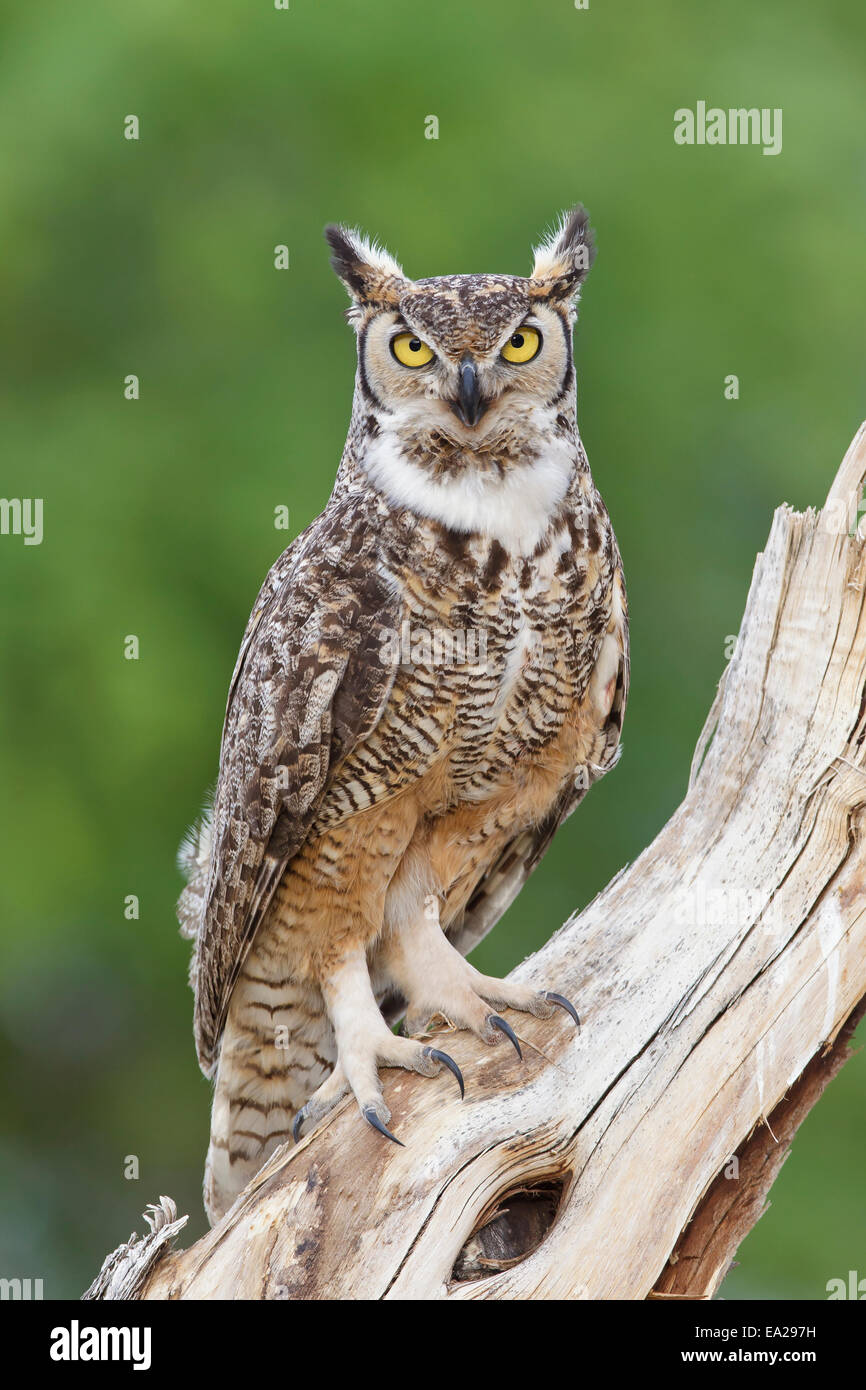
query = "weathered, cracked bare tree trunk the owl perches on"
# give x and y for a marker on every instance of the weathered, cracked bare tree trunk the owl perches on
(714, 978)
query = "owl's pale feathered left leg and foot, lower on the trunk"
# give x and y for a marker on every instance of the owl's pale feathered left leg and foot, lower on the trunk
(365, 1043)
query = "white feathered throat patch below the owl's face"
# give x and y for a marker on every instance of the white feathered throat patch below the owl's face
(514, 509)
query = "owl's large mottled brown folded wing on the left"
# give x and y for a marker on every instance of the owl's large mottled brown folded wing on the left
(308, 687)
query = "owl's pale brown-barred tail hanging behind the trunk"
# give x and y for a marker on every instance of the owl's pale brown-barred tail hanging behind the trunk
(277, 1049)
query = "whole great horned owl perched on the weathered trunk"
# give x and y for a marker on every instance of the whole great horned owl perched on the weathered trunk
(433, 676)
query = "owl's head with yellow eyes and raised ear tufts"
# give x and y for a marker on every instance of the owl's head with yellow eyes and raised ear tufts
(471, 358)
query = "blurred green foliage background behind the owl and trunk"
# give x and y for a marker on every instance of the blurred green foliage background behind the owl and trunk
(158, 259)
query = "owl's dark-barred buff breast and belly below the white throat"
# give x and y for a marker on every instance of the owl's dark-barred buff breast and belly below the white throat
(493, 664)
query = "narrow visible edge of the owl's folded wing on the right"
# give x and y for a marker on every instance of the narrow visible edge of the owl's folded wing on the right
(504, 879)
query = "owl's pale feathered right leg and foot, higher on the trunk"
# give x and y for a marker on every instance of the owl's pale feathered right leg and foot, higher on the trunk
(434, 979)
